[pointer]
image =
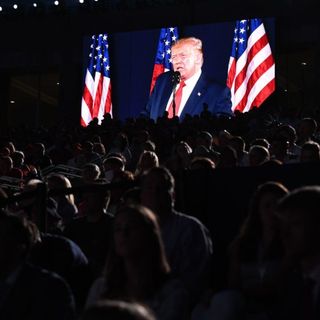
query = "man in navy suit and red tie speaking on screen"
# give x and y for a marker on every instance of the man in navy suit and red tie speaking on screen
(192, 90)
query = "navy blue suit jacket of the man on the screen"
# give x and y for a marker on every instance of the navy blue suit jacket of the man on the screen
(215, 95)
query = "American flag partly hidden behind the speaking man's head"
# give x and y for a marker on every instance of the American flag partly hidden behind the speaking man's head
(163, 58)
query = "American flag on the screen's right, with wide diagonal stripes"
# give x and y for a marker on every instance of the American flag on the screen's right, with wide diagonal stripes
(251, 70)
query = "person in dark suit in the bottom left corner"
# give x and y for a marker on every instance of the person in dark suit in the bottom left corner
(27, 292)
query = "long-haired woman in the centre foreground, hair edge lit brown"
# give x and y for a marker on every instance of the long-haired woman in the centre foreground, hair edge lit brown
(137, 268)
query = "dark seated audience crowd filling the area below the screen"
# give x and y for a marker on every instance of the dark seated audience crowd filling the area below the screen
(168, 220)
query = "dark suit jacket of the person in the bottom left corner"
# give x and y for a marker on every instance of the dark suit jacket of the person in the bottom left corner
(38, 295)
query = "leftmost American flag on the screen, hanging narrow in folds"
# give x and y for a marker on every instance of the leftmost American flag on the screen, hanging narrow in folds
(96, 98)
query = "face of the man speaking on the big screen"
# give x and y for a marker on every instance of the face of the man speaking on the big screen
(186, 59)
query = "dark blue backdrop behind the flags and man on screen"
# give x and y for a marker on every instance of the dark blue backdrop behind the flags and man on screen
(132, 56)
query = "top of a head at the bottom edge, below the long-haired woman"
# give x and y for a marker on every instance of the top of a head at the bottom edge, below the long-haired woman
(117, 310)
